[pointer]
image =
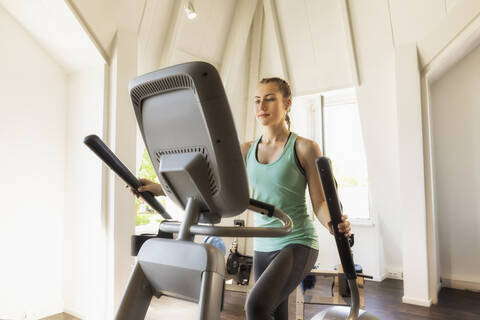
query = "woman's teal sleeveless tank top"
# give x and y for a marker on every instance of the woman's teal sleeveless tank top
(282, 184)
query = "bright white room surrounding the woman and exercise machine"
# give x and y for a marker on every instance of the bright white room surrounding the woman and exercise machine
(387, 88)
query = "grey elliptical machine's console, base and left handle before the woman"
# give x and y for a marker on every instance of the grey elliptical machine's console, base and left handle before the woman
(187, 126)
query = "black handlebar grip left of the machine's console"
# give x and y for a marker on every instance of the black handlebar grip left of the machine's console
(103, 152)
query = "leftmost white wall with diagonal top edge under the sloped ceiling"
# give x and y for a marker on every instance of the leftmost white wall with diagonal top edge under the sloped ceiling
(32, 136)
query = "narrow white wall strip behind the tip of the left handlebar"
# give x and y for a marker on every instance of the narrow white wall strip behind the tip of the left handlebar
(84, 256)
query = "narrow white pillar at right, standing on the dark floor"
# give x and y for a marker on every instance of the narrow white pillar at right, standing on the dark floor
(412, 176)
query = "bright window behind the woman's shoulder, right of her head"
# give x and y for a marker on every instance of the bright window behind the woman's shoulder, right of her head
(332, 120)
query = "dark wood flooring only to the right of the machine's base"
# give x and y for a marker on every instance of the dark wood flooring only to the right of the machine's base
(383, 299)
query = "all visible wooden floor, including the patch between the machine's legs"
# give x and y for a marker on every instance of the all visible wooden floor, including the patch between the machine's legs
(381, 299)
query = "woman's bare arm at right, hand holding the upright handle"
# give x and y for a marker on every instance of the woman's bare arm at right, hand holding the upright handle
(308, 151)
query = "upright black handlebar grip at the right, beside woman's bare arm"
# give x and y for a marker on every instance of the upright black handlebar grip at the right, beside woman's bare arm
(343, 246)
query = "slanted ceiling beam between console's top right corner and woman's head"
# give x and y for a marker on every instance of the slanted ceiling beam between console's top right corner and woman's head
(237, 40)
